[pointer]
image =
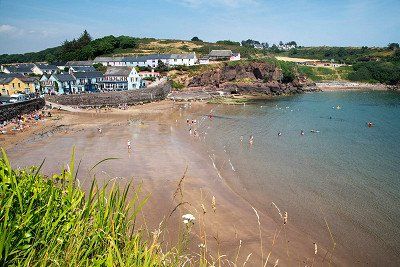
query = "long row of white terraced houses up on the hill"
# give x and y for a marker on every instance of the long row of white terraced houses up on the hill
(151, 61)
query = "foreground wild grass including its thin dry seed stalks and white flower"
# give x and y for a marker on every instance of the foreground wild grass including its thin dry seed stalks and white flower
(50, 221)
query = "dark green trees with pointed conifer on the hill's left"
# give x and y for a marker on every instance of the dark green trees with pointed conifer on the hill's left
(83, 48)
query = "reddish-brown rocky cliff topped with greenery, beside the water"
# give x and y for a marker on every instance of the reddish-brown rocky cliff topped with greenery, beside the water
(257, 77)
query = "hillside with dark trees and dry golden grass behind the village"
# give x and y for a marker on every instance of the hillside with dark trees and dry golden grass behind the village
(84, 48)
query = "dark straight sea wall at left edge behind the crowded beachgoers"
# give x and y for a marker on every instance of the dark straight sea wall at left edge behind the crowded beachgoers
(10, 111)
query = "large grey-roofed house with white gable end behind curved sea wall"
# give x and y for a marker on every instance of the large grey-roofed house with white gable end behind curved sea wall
(120, 79)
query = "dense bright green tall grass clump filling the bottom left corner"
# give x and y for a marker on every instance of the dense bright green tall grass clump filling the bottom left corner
(52, 222)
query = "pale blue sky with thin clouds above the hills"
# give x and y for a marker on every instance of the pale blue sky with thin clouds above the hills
(33, 25)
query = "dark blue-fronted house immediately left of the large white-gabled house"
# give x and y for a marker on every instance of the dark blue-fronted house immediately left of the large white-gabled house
(88, 80)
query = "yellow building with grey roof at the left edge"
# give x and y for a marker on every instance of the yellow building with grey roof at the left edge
(15, 85)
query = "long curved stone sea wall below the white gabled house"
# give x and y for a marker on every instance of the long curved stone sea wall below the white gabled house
(133, 97)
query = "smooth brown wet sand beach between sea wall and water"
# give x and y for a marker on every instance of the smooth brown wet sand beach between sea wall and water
(161, 151)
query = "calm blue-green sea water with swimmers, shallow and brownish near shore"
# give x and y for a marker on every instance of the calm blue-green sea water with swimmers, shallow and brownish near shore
(346, 175)
